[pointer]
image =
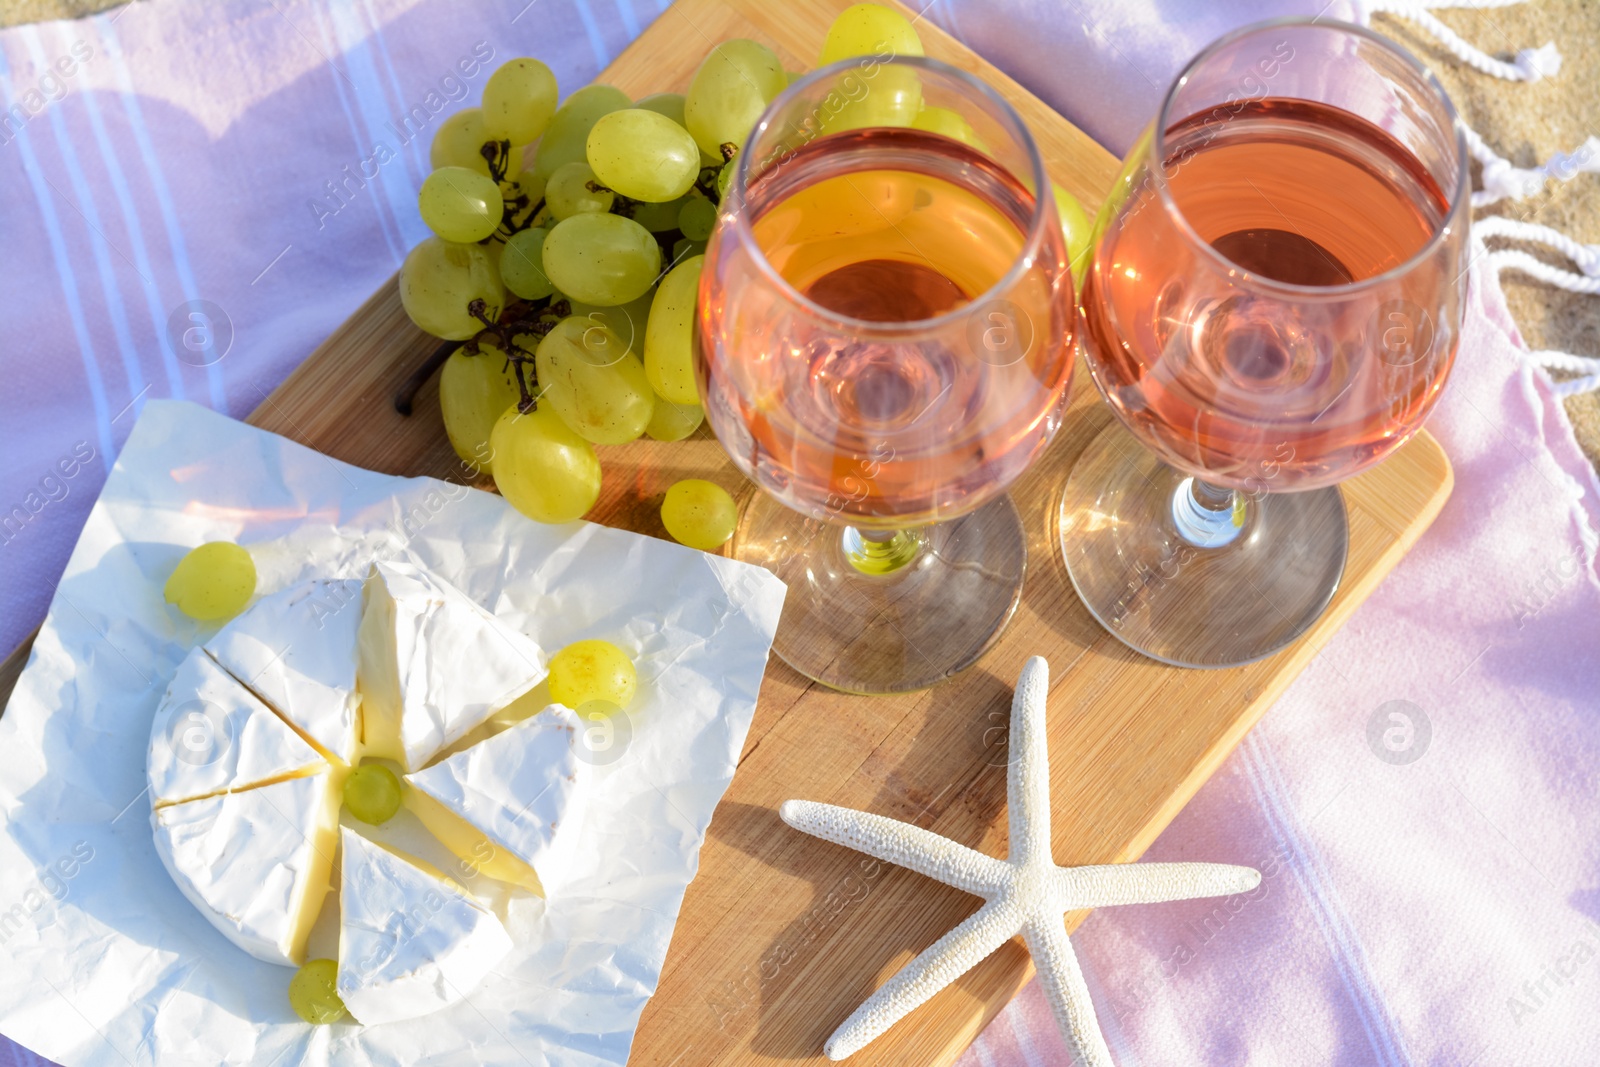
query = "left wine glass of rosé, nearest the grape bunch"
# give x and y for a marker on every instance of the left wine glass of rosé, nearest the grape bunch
(884, 343)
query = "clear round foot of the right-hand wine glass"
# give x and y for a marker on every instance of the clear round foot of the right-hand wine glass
(1182, 604)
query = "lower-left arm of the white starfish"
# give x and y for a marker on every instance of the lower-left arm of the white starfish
(942, 964)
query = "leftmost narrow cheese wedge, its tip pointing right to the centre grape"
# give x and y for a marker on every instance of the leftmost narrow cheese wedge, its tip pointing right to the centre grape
(212, 735)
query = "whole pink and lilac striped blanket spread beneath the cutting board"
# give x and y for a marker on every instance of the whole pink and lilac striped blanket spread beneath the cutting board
(1422, 802)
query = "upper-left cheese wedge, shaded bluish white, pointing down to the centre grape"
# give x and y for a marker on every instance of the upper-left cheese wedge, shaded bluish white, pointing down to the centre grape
(297, 652)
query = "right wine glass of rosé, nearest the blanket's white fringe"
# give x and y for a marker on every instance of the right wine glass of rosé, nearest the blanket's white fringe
(1273, 306)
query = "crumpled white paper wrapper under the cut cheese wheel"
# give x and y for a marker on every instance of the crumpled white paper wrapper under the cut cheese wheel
(105, 962)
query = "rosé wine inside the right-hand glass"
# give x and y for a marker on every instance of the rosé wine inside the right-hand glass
(1265, 369)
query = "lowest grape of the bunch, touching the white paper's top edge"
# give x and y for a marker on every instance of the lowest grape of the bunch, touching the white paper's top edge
(542, 468)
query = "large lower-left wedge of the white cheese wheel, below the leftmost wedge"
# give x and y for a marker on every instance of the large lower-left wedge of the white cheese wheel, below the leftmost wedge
(257, 863)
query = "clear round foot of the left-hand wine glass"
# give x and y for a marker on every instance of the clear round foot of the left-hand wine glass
(894, 633)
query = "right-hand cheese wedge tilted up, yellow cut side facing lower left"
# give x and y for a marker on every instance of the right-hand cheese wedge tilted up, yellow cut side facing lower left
(511, 805)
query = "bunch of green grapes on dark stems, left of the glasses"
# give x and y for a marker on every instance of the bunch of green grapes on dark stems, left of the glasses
(553, 223)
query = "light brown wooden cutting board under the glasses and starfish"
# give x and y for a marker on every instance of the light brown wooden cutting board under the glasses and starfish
(782, 935)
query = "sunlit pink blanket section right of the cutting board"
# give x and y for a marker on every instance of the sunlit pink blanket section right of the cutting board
(1422, 802)
